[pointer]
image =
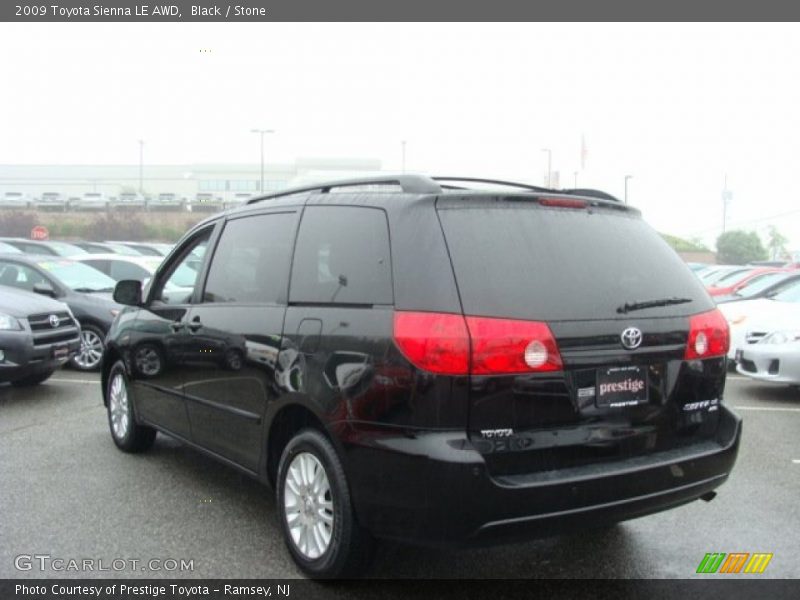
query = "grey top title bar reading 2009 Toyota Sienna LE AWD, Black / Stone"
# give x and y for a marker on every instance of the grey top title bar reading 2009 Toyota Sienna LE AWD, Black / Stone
(395, 10)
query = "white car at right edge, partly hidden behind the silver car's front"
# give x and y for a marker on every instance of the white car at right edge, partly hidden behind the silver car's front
(752, 320)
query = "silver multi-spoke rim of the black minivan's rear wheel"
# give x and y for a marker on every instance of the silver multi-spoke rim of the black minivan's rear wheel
(308, 505)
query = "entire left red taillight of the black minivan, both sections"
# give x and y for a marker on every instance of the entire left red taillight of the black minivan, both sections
(450, 344)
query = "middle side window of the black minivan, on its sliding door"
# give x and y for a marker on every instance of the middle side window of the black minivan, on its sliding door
(251, 262)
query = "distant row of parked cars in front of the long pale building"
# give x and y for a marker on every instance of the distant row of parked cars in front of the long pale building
(98, 201)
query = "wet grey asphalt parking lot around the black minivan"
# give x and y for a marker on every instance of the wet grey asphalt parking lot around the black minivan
(68, 493)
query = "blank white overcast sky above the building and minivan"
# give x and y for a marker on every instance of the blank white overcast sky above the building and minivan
(676, 106)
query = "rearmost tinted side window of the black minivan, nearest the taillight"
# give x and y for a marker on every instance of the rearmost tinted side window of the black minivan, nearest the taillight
(342, 257)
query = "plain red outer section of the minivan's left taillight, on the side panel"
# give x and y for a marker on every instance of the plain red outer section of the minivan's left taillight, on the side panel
(434, 342)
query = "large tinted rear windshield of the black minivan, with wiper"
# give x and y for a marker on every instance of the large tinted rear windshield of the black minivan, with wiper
(531, 262)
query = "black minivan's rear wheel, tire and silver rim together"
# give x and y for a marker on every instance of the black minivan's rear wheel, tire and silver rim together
(326, 513)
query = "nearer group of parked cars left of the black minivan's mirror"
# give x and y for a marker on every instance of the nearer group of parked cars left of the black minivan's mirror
(56, 305)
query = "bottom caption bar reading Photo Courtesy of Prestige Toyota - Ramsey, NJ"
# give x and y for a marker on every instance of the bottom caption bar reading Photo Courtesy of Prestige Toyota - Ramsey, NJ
(712, 587)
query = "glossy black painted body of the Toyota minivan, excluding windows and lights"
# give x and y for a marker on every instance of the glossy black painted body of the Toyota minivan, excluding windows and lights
(422, 461)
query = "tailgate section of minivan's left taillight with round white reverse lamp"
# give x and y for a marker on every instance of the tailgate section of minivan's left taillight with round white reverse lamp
(507, 346)
